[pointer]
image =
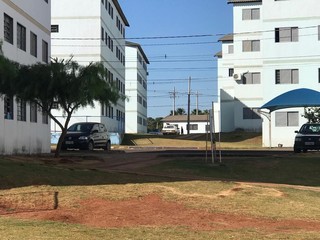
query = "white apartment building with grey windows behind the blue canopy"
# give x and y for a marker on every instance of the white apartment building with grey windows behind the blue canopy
(274, 48)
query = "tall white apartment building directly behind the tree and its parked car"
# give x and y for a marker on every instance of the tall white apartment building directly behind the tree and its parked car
(92, 31)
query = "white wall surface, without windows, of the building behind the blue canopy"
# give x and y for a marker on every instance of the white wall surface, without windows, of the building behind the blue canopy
(303, 55)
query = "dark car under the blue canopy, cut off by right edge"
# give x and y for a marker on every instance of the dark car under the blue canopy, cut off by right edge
(307, 138)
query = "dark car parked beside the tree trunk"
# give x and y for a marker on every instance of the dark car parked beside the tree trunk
(87, 135)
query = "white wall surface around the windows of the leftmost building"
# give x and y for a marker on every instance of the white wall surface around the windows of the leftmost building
(19, 136)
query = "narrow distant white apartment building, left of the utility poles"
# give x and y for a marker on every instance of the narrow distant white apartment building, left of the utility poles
(136, 89)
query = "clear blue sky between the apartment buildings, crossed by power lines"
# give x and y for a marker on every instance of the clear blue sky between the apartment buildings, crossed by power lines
(173, 60)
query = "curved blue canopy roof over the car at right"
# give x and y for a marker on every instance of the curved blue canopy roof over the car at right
(302, 97)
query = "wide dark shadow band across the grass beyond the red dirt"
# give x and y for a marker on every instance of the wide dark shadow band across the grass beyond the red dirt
(287, 168)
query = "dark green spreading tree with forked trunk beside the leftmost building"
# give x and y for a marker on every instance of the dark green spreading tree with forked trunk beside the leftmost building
(65, 84)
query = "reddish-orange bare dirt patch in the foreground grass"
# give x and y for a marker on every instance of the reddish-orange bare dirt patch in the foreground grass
(153, 211)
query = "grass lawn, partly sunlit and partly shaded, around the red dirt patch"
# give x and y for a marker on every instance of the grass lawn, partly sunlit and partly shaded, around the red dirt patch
(200, 191)
